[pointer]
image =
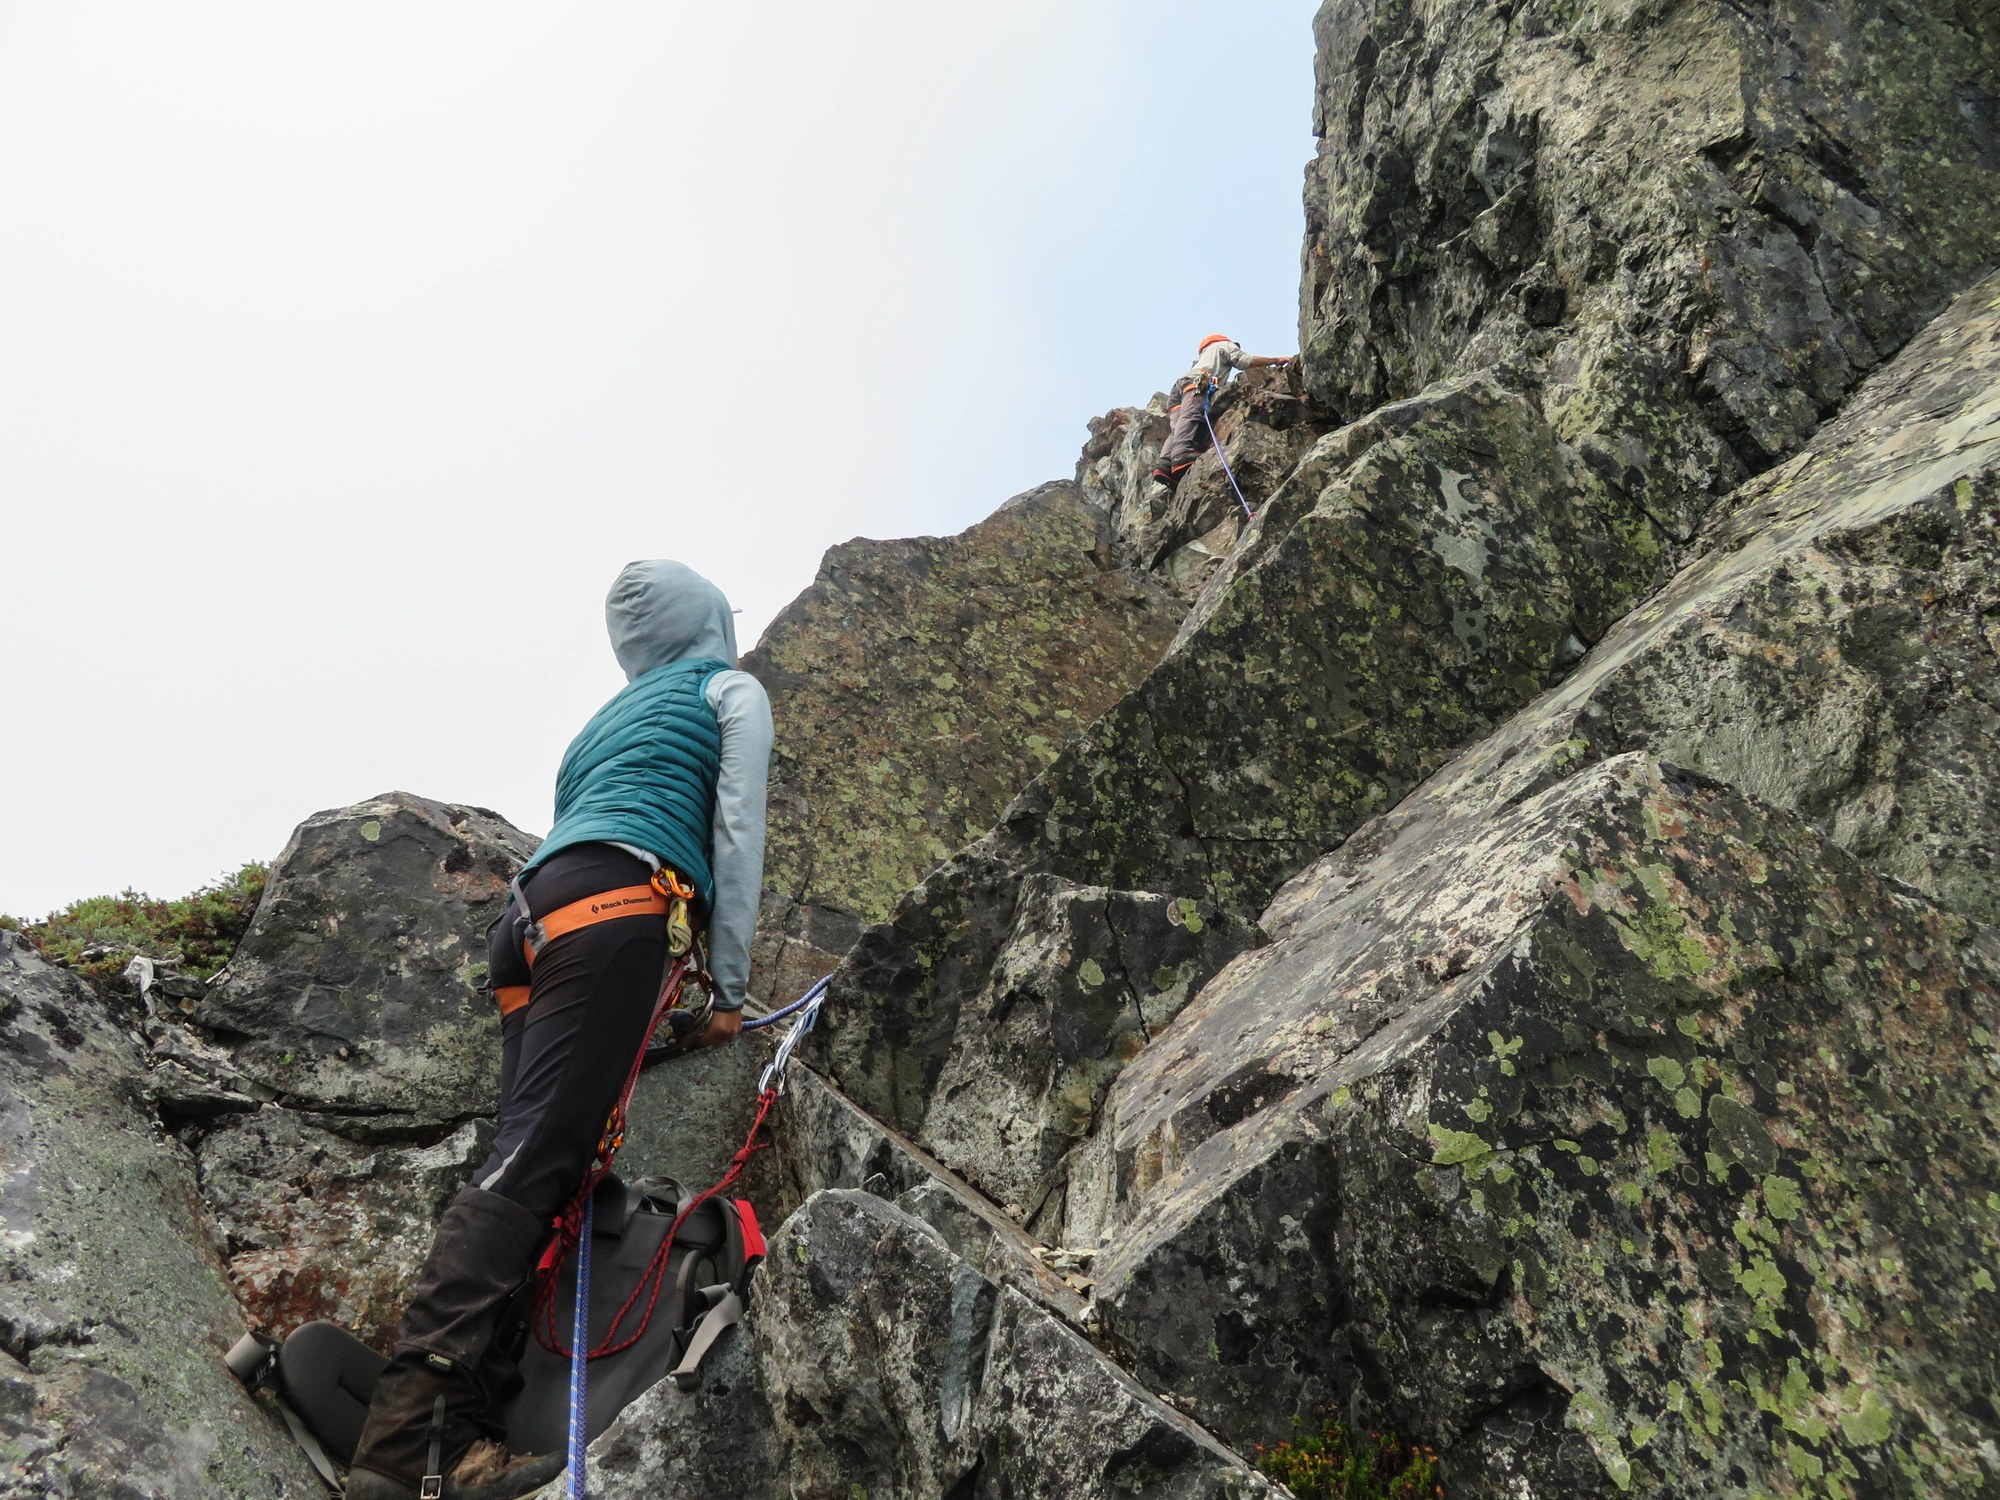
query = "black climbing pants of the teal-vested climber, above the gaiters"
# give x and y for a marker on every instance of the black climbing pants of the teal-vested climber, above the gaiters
(567, 1053)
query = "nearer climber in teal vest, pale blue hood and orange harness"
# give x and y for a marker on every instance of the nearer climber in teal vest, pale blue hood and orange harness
(661, 795)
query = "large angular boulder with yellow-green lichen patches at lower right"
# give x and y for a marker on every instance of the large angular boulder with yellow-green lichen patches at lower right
(1625, 1139)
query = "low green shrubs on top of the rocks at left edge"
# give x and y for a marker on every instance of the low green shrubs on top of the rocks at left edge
(99, 935)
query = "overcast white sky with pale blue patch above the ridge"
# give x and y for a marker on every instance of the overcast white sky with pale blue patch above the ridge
(349, 351)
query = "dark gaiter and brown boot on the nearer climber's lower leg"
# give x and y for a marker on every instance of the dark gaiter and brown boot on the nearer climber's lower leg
(441, 1405)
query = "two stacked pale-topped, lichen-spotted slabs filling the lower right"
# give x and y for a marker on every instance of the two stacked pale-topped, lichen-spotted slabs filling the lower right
(1389, 1175)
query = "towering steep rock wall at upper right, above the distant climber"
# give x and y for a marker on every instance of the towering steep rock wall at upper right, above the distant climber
(1697, 227)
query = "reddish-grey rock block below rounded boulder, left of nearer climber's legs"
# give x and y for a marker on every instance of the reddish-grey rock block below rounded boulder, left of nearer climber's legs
(323, 1227)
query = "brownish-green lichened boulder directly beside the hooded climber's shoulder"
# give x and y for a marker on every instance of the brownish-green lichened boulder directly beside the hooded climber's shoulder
(921, 683)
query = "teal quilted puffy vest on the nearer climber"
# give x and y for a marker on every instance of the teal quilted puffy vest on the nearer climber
(645, 773)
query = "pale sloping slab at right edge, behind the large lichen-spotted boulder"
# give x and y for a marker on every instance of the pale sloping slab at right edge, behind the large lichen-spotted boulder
(1835, 647)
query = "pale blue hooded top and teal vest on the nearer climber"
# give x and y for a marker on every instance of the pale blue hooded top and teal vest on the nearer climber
(675, 767)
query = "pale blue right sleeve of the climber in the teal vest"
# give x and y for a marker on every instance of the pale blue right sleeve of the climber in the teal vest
(743, 711)
